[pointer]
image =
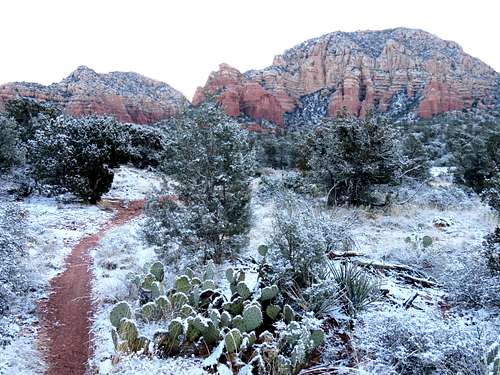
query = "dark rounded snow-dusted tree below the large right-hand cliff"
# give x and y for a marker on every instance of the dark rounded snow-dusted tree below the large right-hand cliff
(349, 155)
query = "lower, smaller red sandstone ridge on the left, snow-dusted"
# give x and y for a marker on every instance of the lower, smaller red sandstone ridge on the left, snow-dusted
(129, 97)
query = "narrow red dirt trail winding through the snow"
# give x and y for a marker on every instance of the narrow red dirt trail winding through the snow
(64, 337)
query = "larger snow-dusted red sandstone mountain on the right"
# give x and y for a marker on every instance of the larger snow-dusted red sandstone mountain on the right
(360, 71)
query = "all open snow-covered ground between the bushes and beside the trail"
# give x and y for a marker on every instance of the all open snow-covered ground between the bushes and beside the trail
(456, 222)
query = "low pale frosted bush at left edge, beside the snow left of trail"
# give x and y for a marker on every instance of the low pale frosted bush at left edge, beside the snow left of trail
(13, 280)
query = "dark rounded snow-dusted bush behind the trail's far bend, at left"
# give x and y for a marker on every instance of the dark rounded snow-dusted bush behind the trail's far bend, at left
(76, 154)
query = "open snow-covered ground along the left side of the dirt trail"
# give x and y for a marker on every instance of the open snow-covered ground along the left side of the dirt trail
(53, 228)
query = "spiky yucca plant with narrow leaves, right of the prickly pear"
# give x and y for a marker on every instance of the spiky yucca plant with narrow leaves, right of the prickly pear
(356, 287)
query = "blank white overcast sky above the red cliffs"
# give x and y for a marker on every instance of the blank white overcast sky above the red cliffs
(181, 42)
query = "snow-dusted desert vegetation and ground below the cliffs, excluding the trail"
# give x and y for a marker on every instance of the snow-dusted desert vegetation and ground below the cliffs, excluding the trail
(344, 248)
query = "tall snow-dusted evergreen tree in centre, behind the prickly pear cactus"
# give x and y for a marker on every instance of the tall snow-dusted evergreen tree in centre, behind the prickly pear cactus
(212, 162)
